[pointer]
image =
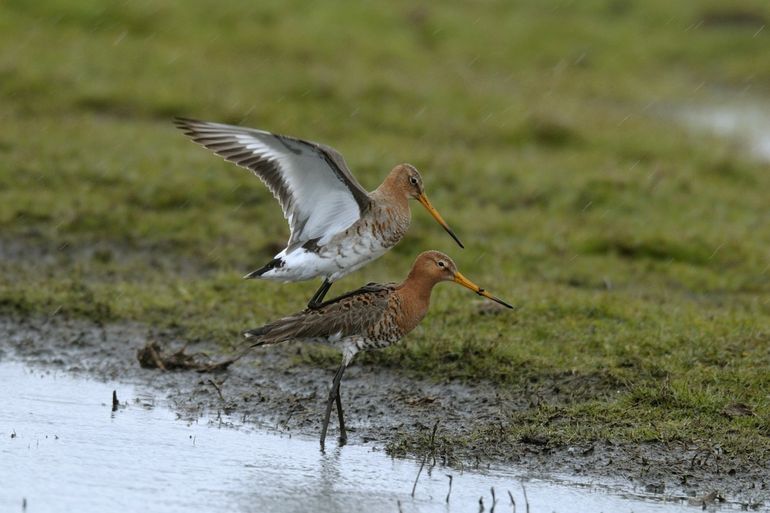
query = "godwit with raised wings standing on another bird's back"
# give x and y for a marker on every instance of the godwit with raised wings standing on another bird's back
(336, 226)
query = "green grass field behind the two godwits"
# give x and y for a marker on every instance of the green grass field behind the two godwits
(636, 251)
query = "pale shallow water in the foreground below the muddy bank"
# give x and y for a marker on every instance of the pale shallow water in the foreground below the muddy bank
(63, 449)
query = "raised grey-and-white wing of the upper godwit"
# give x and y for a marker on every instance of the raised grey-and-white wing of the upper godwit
(317, 193)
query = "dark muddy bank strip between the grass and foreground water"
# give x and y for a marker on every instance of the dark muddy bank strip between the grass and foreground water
(384, 407)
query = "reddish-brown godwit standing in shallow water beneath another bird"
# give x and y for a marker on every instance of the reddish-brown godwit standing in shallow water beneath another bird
(372, 317)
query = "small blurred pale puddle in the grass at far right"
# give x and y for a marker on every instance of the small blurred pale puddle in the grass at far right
(748, 123)
